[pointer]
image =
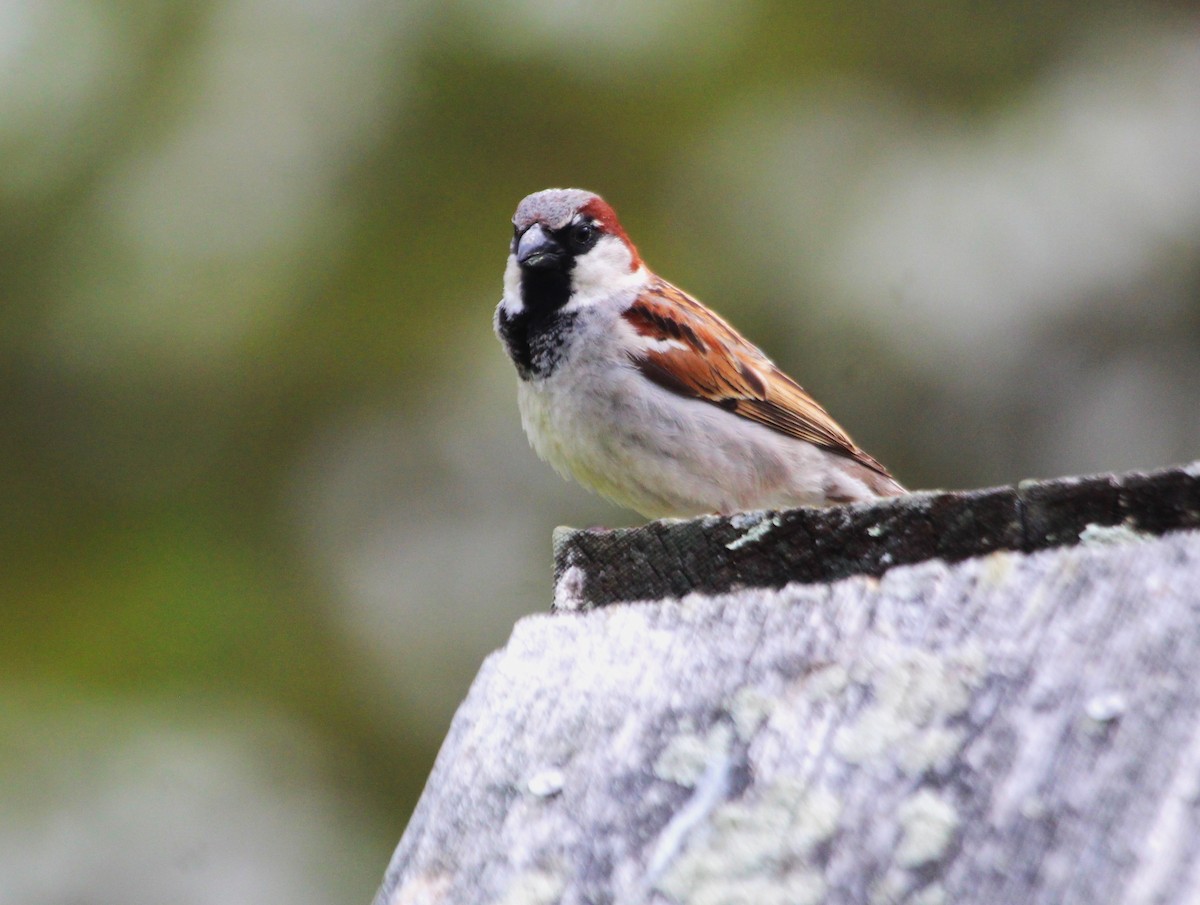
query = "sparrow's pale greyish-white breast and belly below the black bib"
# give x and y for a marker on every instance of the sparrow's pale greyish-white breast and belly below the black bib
(598, 421)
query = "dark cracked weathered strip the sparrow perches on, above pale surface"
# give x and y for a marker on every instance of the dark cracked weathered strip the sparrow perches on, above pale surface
(771, 549)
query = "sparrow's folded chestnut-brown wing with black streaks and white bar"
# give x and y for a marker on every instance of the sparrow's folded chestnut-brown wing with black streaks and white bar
(693, 352)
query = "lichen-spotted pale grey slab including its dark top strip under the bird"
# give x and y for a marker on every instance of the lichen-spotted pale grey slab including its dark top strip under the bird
(1004, 728)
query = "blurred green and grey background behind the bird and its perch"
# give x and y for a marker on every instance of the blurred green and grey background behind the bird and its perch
(267, 504)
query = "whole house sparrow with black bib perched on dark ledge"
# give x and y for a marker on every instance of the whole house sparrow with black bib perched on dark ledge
(640, 393)
